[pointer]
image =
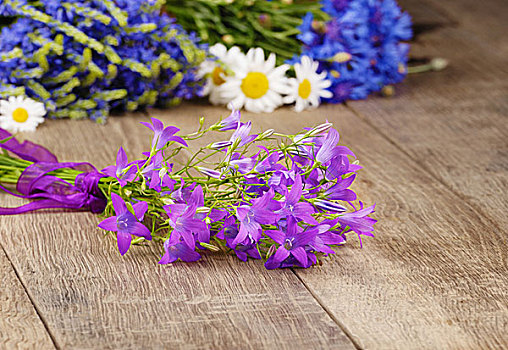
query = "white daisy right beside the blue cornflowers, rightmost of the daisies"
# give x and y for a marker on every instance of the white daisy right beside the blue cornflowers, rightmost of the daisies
(309, 87)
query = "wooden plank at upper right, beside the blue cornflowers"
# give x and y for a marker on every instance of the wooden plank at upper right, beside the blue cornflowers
(454, 123)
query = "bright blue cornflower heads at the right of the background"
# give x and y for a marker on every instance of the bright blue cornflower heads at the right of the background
(361, 47)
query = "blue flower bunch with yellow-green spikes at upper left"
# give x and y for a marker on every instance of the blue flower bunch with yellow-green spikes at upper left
(83, 59)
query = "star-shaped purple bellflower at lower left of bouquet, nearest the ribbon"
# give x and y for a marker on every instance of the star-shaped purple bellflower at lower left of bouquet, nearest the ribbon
(125, 223)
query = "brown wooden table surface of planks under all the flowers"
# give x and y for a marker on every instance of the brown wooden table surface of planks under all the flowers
(435, 276)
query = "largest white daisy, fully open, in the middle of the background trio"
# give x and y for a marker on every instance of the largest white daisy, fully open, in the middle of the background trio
(258, 85)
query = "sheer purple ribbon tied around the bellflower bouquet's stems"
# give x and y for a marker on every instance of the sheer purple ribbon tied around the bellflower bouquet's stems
(51, 191)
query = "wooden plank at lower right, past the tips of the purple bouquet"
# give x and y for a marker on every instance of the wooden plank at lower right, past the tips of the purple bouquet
(436, 275)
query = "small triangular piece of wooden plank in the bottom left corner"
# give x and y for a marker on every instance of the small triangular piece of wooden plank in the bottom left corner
(20, 326)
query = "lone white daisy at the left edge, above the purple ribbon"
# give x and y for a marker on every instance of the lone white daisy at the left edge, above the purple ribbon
(21, 114)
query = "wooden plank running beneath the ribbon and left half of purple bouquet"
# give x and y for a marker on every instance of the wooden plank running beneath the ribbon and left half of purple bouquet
(91, 297)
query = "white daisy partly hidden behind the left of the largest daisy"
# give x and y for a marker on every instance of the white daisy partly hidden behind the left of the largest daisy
(217, 71)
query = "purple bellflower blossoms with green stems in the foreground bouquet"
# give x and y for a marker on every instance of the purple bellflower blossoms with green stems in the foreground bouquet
(287, 203)
